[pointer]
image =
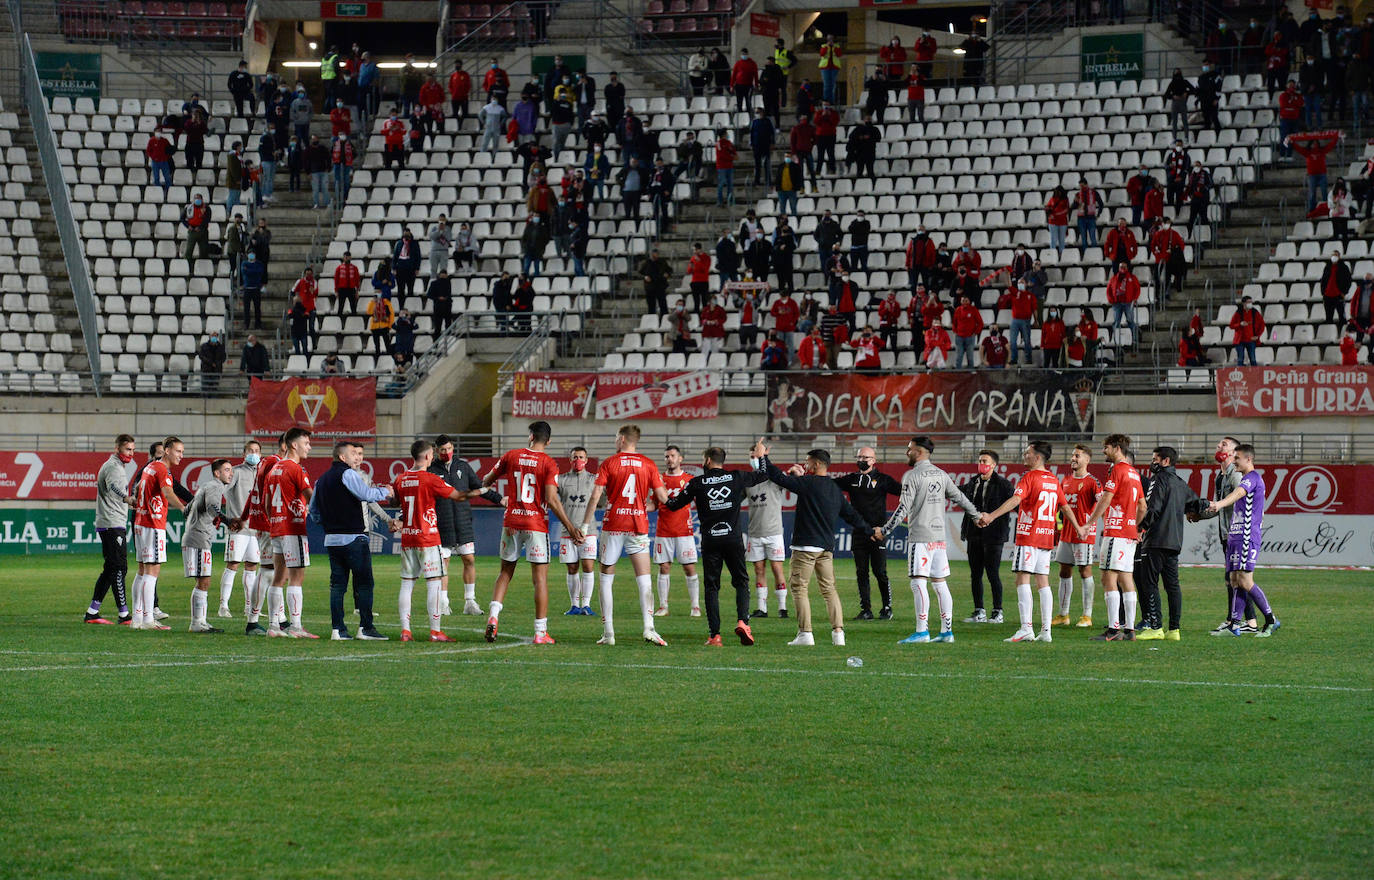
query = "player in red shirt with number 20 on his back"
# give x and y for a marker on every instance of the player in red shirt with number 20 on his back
(1037, 500)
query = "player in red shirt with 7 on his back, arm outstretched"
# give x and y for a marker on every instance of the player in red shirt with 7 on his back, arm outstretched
(421, 555)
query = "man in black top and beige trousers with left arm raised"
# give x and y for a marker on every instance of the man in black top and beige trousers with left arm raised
(821, 504)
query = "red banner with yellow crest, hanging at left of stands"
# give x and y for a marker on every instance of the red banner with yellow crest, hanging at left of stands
(329, 408)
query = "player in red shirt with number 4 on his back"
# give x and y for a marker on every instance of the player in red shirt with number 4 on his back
(629, 481)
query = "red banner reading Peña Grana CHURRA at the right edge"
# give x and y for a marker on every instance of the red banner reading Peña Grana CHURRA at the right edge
(1244, 393)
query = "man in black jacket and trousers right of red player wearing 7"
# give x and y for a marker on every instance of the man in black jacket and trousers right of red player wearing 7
(1167, 500)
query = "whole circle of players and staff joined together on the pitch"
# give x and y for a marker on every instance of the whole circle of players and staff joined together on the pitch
(266, 503)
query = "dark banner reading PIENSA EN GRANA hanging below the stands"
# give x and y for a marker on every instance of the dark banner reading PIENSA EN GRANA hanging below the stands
(936, 402)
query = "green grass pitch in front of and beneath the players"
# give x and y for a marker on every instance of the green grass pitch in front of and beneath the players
(166, 754)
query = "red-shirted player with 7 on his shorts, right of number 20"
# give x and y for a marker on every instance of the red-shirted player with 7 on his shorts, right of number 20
(1123, 505)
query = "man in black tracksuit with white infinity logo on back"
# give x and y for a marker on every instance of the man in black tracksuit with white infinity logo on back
(719, 494)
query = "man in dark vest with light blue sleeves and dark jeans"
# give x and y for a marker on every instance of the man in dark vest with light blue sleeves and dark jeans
(339, 507)
